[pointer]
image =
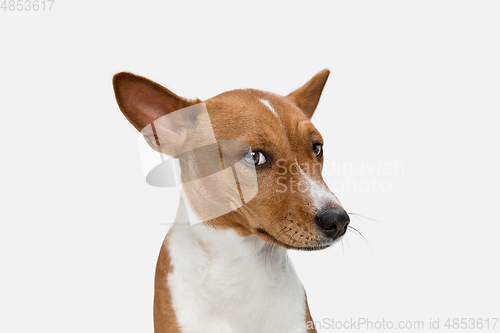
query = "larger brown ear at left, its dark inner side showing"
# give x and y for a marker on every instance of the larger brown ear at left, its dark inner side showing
(143, 101)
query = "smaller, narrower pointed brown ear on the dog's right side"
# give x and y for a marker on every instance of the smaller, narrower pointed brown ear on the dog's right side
(307, 96)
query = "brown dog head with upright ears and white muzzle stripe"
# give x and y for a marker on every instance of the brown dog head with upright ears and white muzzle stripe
(269, 137)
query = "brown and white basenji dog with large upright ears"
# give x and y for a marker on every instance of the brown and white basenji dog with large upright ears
(228, 272)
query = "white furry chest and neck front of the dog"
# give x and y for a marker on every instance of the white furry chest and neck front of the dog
(222, 282)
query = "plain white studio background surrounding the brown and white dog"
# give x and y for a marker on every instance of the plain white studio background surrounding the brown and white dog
(413, 83)
